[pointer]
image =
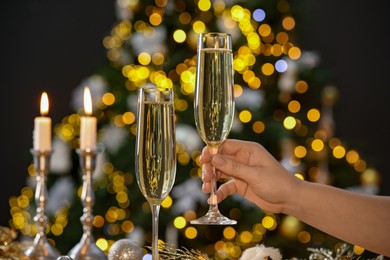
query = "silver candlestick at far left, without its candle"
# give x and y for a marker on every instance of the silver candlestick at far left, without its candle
(41, 248)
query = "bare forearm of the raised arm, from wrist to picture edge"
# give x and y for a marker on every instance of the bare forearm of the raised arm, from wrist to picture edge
(355, 218)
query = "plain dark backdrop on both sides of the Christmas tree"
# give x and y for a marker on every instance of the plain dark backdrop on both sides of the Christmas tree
(52, 46)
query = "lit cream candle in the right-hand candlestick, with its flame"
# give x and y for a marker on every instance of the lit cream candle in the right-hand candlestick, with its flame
(88, 124)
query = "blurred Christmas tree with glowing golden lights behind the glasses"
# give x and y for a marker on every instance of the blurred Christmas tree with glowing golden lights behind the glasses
(281, 102)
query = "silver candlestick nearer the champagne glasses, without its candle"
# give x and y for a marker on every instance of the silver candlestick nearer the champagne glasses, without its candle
(86, 249)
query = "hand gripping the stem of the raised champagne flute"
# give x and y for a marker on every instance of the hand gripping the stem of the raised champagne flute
(253, 172)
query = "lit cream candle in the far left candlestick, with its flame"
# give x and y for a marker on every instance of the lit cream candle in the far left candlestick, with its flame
(42, 127)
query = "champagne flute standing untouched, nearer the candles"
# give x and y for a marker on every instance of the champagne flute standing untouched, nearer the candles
(155, 150)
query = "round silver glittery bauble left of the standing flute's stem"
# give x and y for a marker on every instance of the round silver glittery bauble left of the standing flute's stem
(125, 249)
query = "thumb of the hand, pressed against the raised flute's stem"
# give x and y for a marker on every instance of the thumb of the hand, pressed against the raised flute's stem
(234, 168)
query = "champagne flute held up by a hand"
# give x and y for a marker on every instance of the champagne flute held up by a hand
(214, 105)
